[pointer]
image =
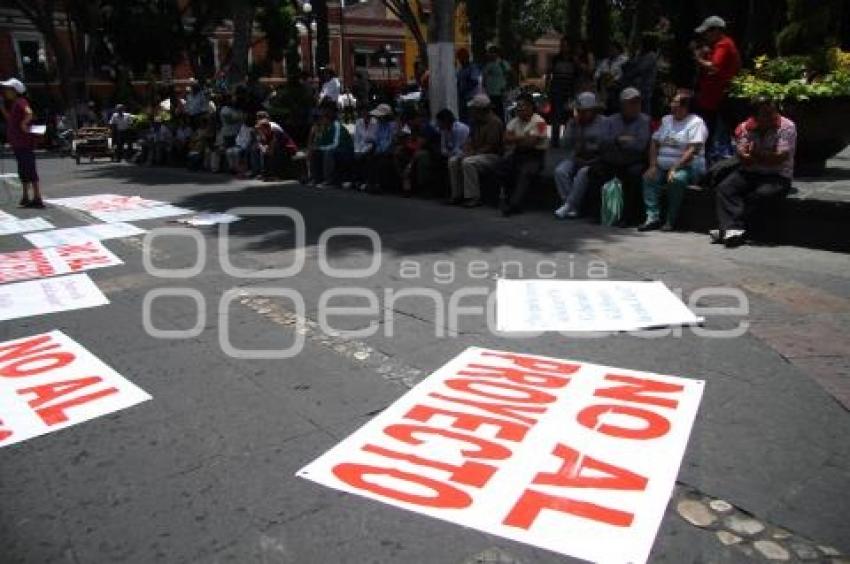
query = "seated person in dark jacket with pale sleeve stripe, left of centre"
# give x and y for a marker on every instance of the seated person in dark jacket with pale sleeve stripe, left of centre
(334, 150)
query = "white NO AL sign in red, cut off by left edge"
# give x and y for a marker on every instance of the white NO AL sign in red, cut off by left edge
(49, 382)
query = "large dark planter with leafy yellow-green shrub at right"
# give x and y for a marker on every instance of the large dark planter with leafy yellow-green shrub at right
(814, 93)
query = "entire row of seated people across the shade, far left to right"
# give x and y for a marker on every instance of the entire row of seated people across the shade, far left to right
(447, 158)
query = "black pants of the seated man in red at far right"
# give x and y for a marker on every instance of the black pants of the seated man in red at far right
(739, 193)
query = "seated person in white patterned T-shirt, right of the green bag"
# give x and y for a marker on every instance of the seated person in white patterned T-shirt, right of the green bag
(676, 159)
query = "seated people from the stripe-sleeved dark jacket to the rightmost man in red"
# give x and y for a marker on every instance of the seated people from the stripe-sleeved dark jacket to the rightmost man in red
(653, 163)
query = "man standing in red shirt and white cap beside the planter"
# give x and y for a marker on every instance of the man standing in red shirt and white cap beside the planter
(718, 65)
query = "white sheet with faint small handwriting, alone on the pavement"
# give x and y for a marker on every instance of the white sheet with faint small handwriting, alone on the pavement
(587, 305)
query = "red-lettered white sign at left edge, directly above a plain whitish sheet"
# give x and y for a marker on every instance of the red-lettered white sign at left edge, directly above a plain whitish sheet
(51, 261)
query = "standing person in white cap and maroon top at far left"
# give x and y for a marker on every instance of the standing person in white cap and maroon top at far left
(18, 115)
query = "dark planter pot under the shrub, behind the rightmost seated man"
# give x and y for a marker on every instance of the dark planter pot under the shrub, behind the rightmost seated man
(823, 129)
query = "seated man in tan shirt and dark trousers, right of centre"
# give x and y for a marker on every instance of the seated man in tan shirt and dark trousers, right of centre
(526, 142)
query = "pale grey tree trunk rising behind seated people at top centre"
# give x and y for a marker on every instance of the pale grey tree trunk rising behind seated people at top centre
(441, 54)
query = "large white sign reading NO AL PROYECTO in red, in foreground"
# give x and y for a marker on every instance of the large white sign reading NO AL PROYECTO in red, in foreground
(576, 458)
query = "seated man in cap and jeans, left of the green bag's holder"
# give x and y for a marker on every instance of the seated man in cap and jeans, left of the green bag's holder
(583, 142)
